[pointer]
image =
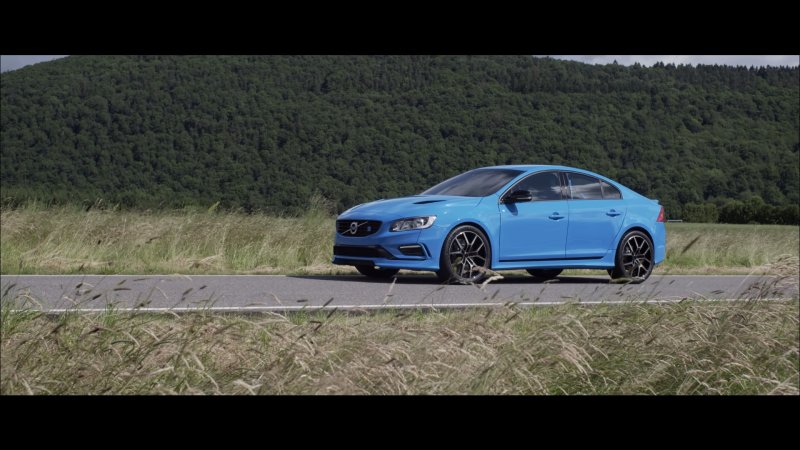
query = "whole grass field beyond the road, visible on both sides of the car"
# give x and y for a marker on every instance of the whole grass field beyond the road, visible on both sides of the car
(67, 240)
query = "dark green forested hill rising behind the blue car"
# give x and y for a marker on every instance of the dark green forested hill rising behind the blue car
(266, 132)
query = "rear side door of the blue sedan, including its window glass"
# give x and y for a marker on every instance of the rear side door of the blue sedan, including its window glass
(596, 212)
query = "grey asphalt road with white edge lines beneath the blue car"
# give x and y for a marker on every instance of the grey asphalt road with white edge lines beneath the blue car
(264, 292)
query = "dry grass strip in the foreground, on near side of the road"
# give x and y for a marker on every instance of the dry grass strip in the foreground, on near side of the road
(744, 347)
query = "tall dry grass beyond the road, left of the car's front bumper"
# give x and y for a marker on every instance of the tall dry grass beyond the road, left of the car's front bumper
(70, 240)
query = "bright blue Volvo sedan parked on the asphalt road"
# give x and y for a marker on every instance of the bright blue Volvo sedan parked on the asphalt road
(540, 218)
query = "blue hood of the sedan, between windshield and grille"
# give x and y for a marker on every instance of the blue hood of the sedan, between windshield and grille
(398, 208)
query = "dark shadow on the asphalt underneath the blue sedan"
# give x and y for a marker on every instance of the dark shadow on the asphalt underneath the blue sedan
(432, 280)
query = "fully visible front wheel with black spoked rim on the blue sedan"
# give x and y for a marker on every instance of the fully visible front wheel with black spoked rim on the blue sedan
(465, 244)
